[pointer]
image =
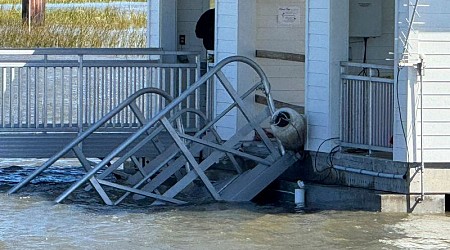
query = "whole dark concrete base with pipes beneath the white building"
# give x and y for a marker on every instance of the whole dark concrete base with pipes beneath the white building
(329, 188)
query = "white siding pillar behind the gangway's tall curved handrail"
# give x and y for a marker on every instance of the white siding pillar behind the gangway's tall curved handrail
(235, 35)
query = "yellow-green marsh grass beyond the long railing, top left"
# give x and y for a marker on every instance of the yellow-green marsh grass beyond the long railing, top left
(81, 27)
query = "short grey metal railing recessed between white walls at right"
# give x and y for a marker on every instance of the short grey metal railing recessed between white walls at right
(367, 106)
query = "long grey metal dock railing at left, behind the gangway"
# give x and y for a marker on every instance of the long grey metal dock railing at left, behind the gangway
(67, 90)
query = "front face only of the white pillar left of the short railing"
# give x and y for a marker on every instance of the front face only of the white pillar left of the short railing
(317, 72)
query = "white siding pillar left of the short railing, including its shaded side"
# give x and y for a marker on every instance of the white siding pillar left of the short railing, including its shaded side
(326, 46)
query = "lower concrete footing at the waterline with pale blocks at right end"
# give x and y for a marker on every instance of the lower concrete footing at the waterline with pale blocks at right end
(334, 197)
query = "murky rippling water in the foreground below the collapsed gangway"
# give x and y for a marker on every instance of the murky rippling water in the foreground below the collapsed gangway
(30, 220)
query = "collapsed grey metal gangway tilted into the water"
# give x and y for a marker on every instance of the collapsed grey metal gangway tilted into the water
(182, 157)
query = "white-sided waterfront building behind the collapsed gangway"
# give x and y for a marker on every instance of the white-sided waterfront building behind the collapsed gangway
(360, 83)
